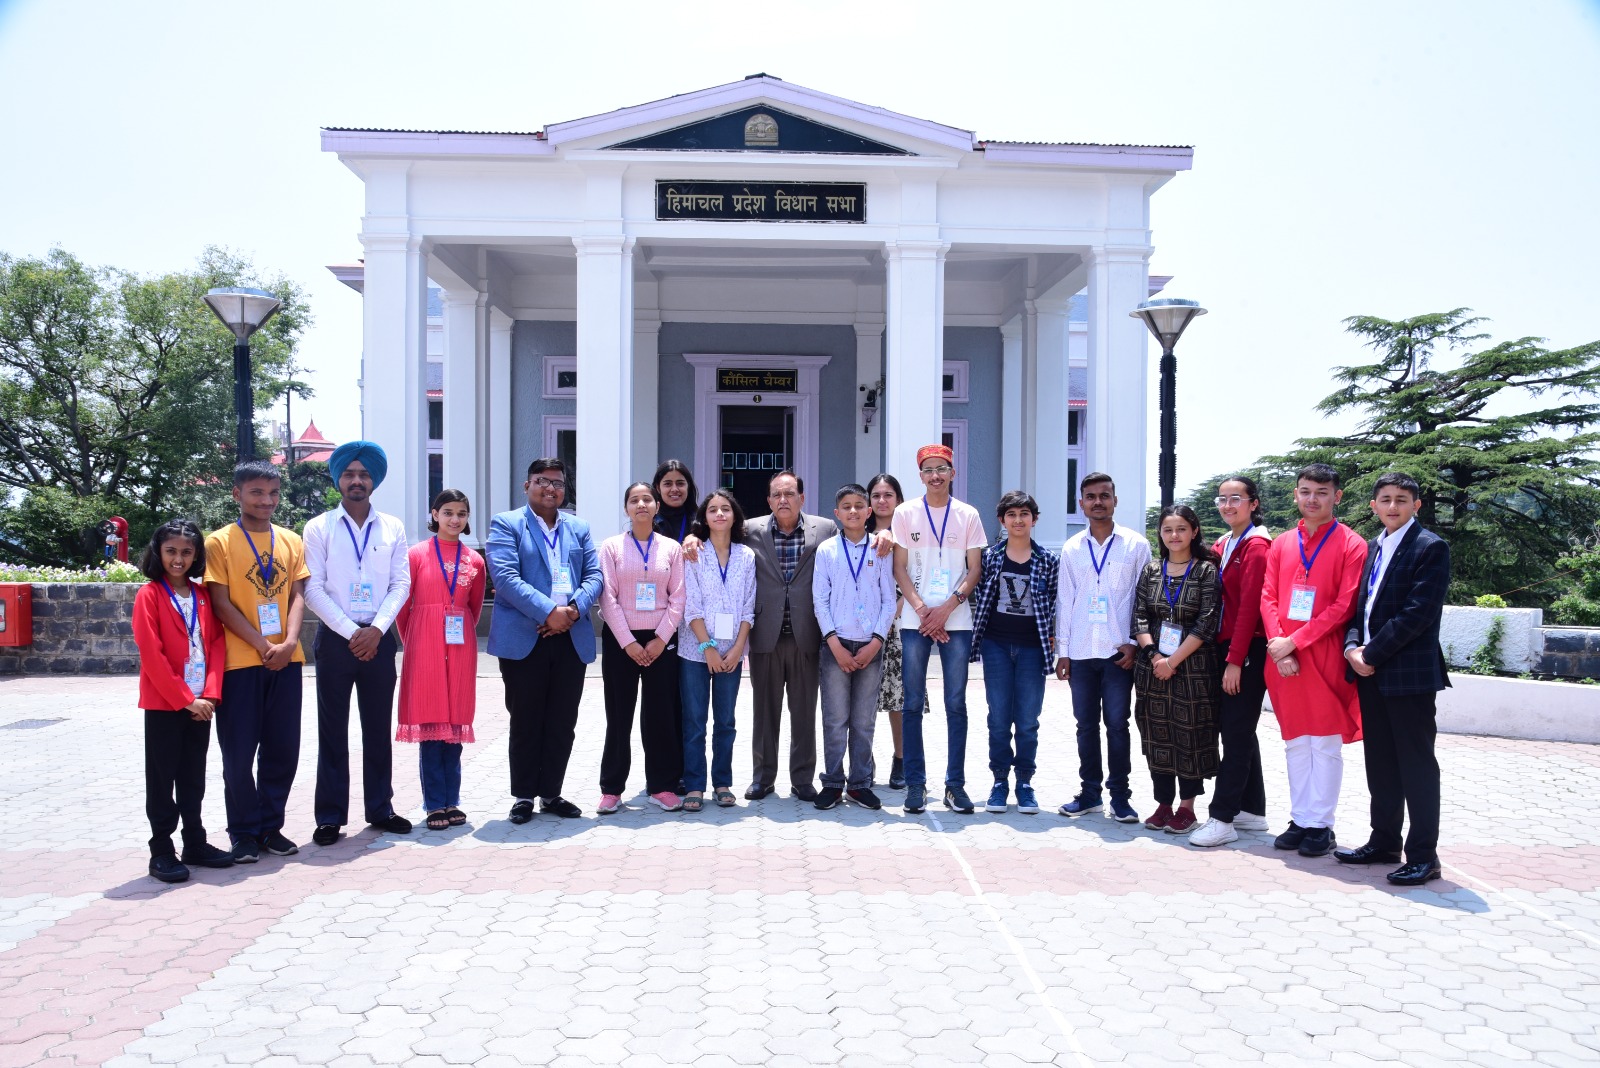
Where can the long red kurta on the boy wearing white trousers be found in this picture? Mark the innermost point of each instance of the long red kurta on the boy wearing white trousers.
(1318, 701)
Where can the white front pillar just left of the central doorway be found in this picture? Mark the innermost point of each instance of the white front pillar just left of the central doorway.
(606, 362)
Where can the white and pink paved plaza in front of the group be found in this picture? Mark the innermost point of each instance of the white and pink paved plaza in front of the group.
(775, 934)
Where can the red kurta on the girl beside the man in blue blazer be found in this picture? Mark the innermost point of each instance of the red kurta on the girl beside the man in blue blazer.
(439, 682)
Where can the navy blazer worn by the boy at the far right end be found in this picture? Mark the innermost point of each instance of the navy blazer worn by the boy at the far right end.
(1406, 616)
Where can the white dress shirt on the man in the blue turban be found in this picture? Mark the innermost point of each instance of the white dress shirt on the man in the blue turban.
(332, 541)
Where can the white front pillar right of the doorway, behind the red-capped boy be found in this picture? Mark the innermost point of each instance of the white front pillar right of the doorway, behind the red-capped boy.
(914, 357)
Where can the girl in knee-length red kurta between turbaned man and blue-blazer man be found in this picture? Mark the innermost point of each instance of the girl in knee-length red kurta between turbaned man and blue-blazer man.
(439, 628)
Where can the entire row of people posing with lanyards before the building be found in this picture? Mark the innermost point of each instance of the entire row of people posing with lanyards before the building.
(849, 610)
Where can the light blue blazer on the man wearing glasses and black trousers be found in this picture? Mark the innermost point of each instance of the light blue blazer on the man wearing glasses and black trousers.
(521, 565)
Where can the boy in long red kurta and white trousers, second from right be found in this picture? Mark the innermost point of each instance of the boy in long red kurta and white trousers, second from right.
(1308, 599)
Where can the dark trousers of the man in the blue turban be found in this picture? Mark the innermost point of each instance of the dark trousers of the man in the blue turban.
(338, 672)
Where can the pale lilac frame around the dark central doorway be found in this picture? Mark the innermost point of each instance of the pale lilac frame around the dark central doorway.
(710, 404)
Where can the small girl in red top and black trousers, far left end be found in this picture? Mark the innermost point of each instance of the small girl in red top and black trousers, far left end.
(183, 653)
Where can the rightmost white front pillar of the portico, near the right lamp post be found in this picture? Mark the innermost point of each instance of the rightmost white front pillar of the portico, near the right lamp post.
(1119, 388)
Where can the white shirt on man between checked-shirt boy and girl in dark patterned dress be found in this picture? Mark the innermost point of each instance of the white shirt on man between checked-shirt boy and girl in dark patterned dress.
(1124, 557)
